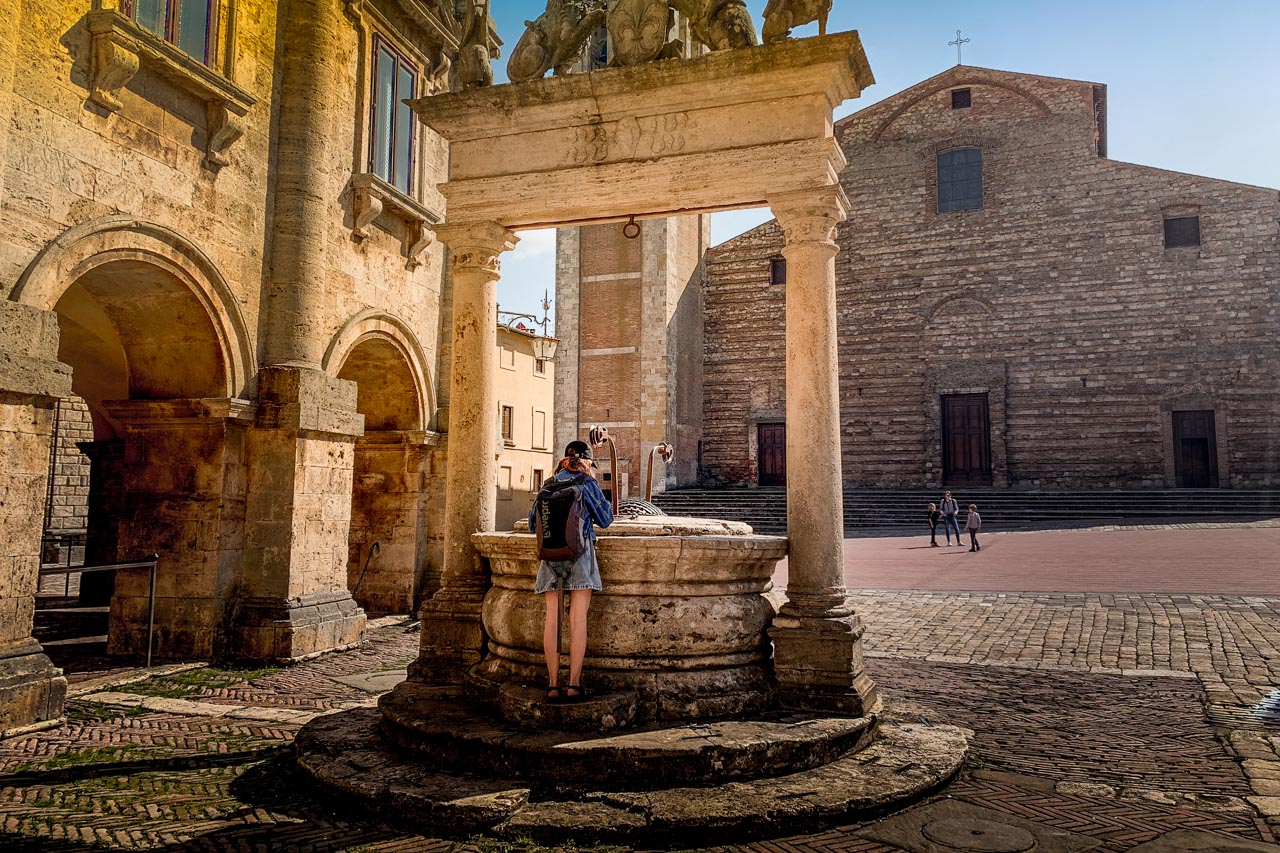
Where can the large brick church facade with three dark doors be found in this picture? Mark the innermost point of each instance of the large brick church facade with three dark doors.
(1016, 309)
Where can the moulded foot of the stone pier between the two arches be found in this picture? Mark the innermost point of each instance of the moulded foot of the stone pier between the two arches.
(292, 630)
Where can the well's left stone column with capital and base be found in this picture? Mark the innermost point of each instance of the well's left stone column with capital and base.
(452, 633)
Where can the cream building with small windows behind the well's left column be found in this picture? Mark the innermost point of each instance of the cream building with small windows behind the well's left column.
(525, 412)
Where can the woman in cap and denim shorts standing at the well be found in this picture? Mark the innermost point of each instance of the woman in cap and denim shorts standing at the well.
(582, 577)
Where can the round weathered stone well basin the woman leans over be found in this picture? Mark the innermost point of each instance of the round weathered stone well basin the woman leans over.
(683, 618)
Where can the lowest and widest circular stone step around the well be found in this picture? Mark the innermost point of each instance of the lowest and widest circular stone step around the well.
(904, 763)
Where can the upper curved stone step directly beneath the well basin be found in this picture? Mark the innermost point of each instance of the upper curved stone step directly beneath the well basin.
(441, 726)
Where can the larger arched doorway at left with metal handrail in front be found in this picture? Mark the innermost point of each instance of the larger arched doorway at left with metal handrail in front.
(157, 357)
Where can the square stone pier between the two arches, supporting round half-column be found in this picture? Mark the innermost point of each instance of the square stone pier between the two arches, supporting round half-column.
(292, 600)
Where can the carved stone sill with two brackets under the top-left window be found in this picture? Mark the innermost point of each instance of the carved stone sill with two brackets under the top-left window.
(121, 47)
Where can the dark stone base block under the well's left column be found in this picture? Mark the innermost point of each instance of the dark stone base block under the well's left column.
(454, 640)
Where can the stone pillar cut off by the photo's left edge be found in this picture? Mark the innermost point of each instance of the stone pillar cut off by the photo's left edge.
(31, 382)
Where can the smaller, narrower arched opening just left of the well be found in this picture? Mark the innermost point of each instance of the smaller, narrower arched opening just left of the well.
(387, 483)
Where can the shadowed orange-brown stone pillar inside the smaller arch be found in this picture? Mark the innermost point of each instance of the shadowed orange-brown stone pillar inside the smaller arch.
(387, 508)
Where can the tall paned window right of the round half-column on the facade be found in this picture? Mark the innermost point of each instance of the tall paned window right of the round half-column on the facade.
(391, 149)
